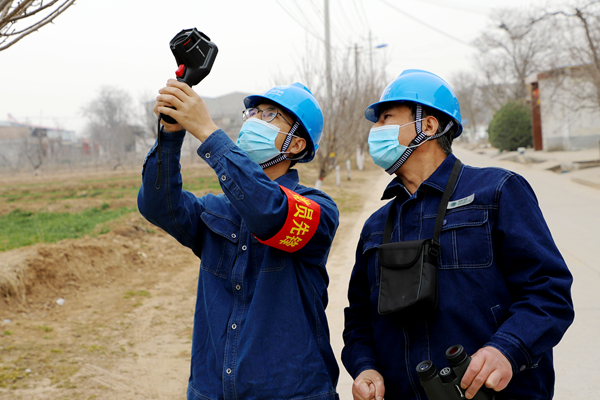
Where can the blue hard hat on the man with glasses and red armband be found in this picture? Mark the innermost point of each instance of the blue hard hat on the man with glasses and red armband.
(300, 102)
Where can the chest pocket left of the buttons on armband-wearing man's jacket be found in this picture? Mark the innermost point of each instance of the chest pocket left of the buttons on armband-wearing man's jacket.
(220, 244)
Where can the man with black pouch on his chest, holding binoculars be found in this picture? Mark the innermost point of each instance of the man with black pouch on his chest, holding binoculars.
(459, 255)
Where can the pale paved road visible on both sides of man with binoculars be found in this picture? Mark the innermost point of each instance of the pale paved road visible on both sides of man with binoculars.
(572, 212)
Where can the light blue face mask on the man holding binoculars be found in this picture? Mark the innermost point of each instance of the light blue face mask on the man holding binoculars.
(384, 147)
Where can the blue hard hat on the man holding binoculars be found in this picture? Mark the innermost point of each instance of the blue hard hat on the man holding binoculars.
(419, 87)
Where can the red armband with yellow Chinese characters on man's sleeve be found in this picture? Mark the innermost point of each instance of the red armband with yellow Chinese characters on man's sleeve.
(300, 226)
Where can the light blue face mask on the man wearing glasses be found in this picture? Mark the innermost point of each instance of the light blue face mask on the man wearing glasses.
(257, 139)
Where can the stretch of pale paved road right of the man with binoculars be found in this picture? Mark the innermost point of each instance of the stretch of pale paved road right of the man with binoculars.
(572, 212)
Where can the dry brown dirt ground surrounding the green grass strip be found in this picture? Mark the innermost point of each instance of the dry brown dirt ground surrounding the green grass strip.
(124, 329)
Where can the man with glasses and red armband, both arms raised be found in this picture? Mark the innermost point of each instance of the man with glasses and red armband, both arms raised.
(260, 329)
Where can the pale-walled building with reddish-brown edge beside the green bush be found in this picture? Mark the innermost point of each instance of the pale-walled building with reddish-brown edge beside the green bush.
(565, 114)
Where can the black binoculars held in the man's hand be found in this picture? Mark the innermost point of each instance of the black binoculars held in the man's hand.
(445, 384)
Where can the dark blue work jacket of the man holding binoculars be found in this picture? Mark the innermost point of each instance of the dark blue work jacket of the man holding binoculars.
(502, 283)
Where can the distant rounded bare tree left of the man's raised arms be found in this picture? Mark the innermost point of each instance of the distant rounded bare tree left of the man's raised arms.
(111, 125)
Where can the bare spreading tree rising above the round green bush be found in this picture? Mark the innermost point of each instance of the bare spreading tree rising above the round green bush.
(511, 51)
